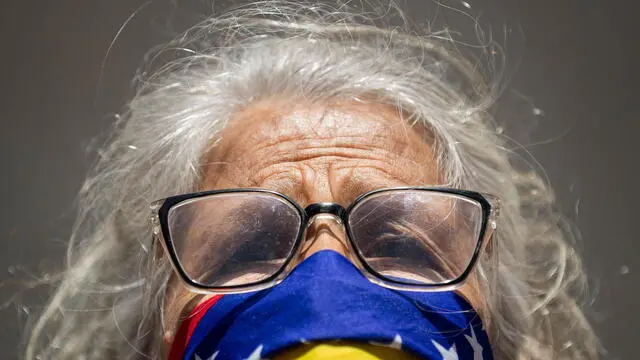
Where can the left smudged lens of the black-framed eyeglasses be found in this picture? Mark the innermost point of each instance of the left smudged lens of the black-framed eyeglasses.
(234, 238)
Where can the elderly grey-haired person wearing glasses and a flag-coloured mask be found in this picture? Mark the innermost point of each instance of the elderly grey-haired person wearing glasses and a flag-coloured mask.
(328, 189)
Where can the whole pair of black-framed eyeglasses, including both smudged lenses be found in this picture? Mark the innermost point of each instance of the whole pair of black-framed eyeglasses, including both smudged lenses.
(404, 238)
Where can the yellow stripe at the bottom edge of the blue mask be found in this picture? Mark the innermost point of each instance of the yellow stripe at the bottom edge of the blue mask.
(344, 351)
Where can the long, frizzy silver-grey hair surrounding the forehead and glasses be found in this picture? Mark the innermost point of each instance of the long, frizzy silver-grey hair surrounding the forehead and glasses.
(108, 304)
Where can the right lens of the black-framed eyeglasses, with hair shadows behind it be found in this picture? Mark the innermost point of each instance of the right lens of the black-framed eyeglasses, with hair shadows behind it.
(418, 237)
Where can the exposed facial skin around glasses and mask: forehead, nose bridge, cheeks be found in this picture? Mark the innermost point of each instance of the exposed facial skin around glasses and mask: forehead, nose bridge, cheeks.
(316, 153)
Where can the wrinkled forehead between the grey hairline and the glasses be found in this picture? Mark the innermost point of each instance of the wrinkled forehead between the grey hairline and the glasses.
(280, 139)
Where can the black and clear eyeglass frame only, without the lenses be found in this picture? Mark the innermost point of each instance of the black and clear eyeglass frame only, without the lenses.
(160, 213)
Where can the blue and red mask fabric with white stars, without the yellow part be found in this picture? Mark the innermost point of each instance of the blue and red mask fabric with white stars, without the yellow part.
(326, 298)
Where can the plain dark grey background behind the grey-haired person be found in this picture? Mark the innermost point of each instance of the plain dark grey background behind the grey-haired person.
(578, 63)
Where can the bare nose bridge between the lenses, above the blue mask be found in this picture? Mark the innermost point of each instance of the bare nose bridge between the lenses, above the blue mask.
(325, 232)
